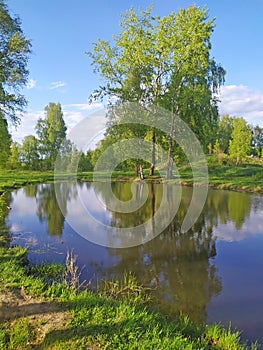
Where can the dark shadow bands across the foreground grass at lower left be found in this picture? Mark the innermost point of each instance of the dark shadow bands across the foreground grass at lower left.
(11, 310)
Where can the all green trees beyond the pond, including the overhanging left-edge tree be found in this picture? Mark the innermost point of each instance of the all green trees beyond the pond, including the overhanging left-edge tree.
(162, 62)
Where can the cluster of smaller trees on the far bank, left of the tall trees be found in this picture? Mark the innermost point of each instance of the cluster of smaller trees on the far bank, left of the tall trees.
(50, 145)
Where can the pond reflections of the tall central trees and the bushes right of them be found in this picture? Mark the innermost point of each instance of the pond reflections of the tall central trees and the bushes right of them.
(180, 264)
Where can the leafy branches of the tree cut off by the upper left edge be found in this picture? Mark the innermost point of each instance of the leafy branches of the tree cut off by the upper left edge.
(14, 54)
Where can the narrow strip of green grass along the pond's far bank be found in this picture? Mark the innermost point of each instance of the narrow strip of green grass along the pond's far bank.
(246, 178)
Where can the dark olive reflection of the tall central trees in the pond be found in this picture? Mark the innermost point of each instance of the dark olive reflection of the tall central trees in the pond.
(178, 263)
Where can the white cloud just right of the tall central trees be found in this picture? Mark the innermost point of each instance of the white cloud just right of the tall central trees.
(241, 101)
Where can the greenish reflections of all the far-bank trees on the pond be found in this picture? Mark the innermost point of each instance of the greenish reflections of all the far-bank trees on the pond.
(179, 264)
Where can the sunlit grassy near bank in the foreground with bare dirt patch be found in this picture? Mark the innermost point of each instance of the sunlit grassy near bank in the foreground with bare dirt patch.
(41, 307)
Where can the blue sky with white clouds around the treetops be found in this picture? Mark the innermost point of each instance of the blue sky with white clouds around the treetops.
(63, 30)
